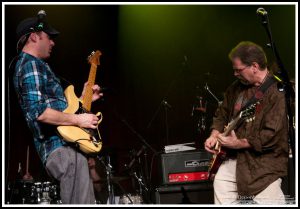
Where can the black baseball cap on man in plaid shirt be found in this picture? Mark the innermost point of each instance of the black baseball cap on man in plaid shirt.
(32, 24)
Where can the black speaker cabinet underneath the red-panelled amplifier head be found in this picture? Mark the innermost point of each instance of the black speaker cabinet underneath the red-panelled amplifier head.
(197, 193)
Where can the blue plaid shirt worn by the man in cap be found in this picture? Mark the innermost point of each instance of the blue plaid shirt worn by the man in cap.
(37, 89)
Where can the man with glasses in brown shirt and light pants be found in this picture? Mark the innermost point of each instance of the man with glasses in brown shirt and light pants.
(258, 149)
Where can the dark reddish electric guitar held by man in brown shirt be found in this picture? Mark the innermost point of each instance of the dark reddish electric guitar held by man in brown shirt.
(219, 157)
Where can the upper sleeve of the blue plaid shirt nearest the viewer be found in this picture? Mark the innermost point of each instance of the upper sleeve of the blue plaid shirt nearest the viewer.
(40, 89)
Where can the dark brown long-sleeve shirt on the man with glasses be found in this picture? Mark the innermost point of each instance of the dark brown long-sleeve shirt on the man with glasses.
(263, 163)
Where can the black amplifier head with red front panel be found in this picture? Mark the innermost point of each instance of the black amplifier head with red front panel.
(185, 167)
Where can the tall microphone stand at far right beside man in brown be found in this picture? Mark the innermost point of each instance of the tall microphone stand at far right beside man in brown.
(286, 86)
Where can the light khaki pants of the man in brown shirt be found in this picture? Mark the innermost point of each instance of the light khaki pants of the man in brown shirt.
(225, 189)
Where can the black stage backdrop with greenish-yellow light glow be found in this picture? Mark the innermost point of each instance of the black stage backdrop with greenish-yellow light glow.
(150, 53)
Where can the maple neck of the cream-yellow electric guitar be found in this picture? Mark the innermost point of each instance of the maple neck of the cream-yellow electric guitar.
(88, 94)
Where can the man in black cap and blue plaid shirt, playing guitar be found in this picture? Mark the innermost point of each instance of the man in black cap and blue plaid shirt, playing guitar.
(42, 101)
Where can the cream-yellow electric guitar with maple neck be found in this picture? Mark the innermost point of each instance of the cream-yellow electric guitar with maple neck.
(89, 140)
